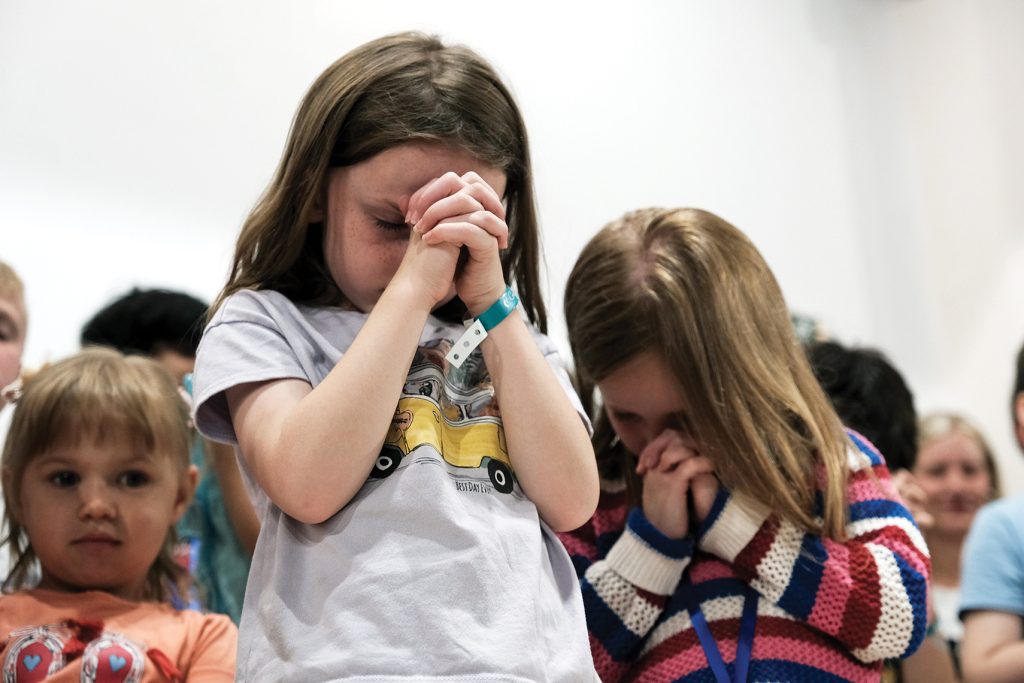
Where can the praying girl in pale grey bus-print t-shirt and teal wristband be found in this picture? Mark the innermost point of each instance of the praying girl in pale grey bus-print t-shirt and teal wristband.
(410, 471)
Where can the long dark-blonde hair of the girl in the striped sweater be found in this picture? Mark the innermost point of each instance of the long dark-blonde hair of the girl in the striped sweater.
(688, 285)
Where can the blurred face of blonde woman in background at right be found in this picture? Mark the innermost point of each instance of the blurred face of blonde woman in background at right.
(953, 473)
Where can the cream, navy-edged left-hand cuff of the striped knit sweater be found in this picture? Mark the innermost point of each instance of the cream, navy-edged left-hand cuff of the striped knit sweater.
(648, 559)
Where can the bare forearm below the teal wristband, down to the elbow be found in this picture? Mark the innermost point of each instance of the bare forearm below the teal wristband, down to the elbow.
(547, 441)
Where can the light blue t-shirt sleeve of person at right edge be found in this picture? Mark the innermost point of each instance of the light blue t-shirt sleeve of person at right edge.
(994, 563)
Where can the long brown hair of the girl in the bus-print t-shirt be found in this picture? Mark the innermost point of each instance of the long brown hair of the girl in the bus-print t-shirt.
(407, 88)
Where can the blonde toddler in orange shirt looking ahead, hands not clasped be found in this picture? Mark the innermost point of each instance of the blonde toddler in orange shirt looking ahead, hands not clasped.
(96, 476)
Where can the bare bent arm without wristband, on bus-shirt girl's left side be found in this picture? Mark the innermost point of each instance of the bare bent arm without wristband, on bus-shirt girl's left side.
(312, 453)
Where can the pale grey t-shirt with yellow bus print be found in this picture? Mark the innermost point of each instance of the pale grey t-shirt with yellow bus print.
(441, 568)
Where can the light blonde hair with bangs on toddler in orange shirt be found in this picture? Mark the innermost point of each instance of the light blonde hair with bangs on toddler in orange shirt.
(96, 395)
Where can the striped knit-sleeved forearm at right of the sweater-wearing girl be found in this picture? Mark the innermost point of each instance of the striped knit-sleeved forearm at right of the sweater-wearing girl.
(869, 592)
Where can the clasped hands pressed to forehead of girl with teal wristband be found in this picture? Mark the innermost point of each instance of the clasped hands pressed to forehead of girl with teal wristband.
(452, 216)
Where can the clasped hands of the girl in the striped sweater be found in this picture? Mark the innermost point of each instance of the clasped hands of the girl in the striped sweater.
(674, 471)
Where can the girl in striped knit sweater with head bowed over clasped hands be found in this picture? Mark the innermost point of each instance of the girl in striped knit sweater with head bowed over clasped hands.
(742, 534)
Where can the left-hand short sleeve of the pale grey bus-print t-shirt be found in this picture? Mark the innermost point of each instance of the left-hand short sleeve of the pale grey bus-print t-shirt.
(243, 344)
